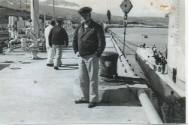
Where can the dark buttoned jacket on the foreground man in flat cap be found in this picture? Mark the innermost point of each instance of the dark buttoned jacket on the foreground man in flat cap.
(90, 41)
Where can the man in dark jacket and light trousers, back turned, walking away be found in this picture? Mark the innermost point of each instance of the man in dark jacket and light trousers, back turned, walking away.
(57, 39)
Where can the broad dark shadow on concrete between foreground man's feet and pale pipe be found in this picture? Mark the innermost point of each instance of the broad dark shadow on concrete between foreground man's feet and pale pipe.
(119, 97)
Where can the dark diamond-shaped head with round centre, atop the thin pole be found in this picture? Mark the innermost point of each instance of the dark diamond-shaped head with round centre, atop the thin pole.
(126, 6)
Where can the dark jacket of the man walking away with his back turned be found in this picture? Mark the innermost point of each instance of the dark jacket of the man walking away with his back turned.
(58, 36)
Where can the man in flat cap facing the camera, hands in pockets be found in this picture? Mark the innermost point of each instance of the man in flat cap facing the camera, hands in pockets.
(88, 44)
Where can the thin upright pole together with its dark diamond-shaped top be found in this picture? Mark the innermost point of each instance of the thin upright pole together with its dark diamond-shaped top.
(126, 6)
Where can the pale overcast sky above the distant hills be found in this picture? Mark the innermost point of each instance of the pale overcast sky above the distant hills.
(140, 7)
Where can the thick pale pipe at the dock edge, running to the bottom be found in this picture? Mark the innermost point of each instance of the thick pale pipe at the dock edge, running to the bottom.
(150, 111)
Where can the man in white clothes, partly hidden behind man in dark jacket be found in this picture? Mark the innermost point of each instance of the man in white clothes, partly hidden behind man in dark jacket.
(50, 50)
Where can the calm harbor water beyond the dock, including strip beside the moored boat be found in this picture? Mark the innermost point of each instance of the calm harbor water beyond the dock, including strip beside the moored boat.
(136, 36)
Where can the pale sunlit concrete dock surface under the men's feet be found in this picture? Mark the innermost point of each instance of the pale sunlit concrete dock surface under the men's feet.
(32, 93)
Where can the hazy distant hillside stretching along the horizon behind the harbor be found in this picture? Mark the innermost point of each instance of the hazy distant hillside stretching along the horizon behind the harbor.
(7, 10)
